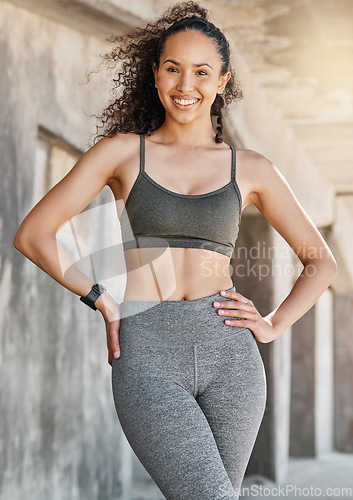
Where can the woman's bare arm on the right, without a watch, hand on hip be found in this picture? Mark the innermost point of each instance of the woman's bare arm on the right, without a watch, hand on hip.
(275, 200)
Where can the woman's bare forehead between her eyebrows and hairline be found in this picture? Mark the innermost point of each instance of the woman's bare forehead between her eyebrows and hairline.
(191, 43)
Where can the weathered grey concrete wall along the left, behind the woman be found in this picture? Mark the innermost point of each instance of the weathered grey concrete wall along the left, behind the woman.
(59, 433)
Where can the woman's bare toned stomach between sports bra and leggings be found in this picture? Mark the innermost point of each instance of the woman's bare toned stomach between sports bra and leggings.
(175, 273)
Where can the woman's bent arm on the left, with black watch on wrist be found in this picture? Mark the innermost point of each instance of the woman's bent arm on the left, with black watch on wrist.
(36, 236)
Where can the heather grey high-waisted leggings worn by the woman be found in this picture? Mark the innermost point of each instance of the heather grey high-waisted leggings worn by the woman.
(190, 394)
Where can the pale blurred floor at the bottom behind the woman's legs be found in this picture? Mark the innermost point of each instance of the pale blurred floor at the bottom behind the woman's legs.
(307, 478)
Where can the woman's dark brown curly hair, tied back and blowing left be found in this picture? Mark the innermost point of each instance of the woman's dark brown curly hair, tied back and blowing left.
(137, 107)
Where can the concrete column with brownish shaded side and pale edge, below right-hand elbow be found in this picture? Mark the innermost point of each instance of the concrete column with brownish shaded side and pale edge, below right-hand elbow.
(312, 381)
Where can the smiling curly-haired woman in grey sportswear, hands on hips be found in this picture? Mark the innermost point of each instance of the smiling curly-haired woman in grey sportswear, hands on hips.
(189, 385)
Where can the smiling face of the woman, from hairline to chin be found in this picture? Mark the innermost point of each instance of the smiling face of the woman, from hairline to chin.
(188, 78)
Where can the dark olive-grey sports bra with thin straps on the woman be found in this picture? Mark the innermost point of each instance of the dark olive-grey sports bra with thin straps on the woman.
(154, 216)
